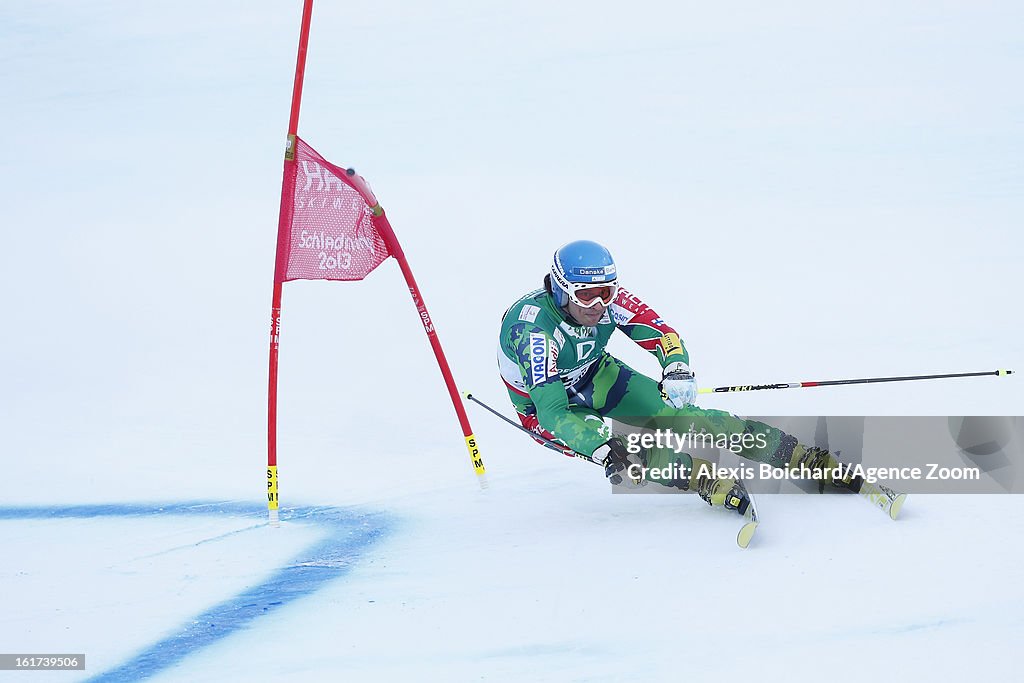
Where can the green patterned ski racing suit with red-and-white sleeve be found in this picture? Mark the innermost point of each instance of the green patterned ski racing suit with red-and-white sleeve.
(564, 383)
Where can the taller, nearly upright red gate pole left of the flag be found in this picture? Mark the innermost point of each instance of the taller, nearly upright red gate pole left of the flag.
(293, 126)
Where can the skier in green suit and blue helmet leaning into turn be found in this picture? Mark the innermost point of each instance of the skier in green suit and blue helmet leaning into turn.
(564, 385)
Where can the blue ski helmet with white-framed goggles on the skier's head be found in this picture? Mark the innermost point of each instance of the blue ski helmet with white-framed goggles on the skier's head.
(583, 266)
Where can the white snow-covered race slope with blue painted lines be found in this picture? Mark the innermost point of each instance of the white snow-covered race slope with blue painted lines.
(806, 191)
